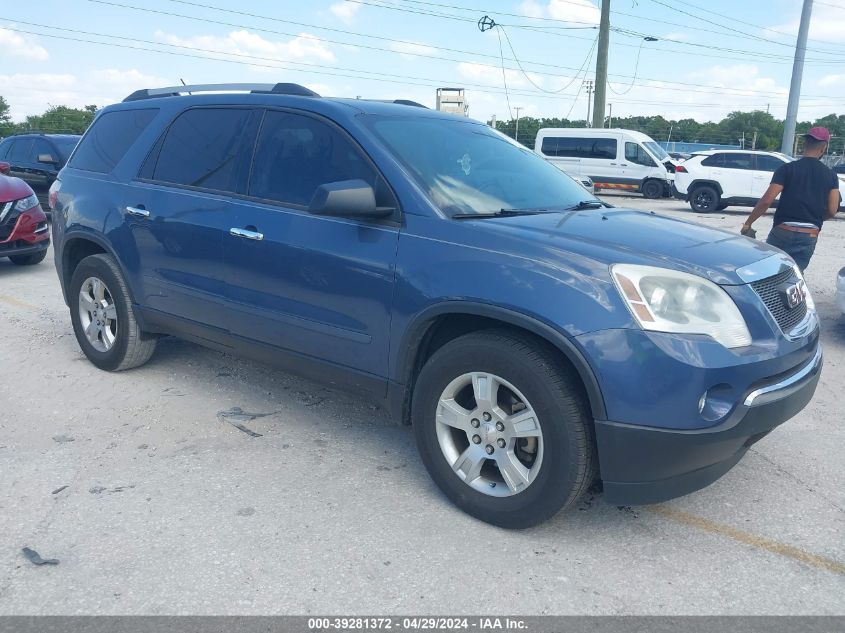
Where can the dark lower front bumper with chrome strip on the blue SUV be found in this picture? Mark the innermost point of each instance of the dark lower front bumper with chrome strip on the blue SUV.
(642, 465)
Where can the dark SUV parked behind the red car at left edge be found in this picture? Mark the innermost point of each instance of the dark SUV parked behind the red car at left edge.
(38, 158)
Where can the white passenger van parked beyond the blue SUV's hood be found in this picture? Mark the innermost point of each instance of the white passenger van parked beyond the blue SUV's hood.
(614, 159)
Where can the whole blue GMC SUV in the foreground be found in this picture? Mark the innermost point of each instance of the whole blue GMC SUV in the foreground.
(536, 338)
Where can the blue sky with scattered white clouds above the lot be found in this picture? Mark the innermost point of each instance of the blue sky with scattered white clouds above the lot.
(711, 57)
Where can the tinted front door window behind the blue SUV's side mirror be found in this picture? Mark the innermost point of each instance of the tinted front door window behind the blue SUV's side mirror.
(296, 154)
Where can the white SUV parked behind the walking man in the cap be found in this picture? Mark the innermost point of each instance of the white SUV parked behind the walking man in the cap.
(716, 179)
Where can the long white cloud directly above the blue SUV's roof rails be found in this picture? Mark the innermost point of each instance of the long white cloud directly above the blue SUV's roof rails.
(304, 47)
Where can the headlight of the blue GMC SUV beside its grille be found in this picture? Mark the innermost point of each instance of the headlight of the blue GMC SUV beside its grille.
(666, 300)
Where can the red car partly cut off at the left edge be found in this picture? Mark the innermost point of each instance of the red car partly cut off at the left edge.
(24, 234)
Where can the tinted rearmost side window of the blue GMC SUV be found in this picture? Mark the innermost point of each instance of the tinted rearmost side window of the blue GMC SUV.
(109, 138)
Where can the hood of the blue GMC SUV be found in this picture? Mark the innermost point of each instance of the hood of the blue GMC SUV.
(613, 236)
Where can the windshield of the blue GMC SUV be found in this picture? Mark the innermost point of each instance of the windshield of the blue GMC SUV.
(468, 168)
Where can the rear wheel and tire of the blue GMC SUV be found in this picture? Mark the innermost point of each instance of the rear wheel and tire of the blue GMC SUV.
(116, 342)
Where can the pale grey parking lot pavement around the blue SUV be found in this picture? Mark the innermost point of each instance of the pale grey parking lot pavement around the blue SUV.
(155, 503)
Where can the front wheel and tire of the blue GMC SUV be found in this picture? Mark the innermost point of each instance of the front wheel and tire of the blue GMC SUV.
(562, 464)
